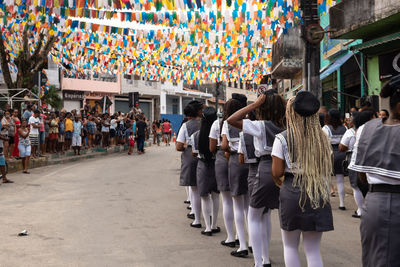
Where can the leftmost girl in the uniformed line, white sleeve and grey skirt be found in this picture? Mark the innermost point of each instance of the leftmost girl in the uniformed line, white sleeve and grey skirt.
(188, 162)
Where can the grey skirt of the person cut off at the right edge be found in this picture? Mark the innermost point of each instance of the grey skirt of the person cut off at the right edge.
(380, 230)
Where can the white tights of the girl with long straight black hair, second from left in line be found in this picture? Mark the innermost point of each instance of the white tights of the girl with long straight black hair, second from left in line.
(210, 207)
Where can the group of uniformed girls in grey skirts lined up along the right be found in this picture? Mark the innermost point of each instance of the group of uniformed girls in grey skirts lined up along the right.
(277, 154)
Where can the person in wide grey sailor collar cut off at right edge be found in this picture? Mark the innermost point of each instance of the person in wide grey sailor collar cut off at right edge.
(376, 157)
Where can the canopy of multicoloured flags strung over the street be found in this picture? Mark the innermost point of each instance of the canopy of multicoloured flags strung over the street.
(202, 41)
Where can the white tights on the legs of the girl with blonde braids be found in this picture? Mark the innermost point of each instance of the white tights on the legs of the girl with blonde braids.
(311, 244)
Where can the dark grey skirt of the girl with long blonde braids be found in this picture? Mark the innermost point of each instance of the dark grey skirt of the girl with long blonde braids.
(293, 218)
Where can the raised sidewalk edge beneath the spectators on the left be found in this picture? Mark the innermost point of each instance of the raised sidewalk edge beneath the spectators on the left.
(53, 159)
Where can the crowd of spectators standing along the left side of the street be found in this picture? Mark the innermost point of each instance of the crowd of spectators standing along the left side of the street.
(37, 131)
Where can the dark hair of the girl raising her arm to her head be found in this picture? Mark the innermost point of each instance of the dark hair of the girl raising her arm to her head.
(273, 109)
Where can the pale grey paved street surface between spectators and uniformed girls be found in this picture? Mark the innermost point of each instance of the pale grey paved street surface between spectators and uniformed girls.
(125, 210)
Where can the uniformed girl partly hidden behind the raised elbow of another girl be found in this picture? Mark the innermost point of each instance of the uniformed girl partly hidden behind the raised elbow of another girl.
(237, 173)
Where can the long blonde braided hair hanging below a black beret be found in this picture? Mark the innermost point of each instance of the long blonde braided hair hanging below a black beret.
(310, 150)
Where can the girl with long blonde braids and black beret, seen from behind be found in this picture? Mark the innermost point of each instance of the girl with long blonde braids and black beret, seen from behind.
(302, 154)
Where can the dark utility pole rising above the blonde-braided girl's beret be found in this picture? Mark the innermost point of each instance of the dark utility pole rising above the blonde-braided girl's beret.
(311, 62)
